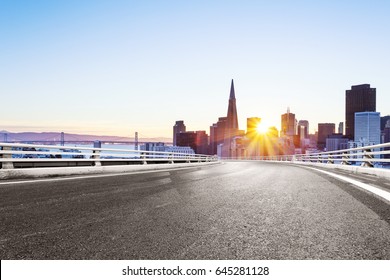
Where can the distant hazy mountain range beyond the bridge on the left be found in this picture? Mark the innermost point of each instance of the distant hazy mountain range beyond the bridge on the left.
(56, 137)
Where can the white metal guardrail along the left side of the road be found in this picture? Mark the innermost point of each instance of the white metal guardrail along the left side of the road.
(30, 155)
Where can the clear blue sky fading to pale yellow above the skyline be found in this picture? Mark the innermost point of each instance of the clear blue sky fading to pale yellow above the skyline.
(116, 67)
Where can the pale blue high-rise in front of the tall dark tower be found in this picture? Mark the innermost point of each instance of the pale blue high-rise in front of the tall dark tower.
(367, 128)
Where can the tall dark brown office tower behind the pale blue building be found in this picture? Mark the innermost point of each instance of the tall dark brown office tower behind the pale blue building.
(360, 98)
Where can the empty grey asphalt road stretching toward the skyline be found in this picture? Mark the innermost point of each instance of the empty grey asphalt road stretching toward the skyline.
(234, 210)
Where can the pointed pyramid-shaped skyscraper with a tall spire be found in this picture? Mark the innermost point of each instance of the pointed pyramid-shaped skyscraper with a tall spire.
(231, 129)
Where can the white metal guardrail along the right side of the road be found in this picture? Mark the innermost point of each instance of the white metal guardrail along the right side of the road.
(367, 156)
